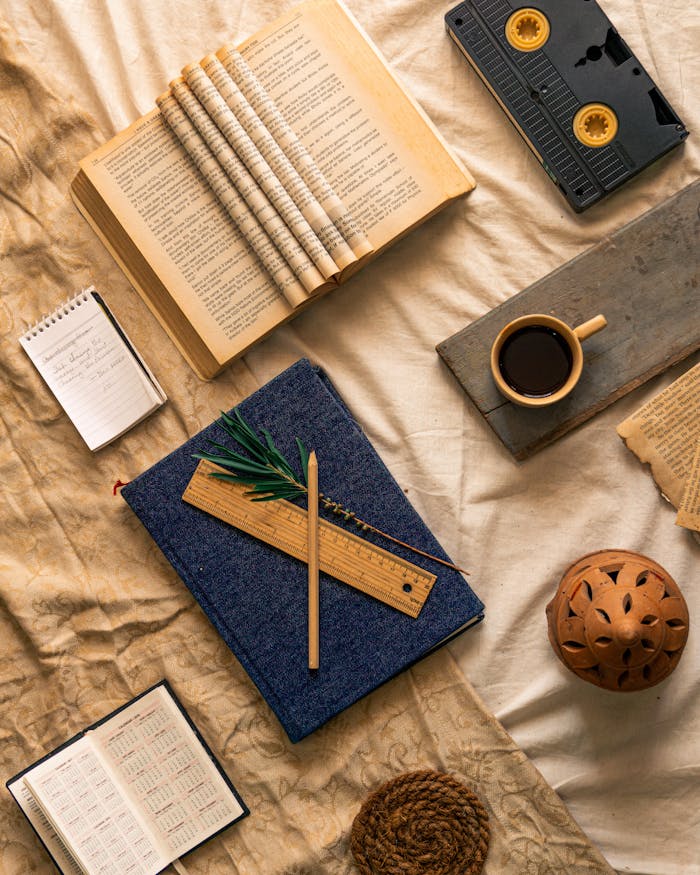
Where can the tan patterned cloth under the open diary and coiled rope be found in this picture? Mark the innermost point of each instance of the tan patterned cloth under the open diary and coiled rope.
(90, 616)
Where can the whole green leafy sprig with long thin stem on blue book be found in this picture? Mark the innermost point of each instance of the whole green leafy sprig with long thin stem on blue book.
(271, 477)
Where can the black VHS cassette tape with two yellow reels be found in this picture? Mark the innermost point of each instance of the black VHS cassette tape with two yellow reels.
(572, 87)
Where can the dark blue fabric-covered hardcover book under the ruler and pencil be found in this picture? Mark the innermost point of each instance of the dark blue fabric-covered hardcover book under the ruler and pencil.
(256, 596)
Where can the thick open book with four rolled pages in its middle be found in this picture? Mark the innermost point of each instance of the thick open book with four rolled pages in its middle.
(266, 175)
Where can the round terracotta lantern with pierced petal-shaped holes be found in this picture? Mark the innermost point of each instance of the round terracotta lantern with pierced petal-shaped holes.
(618, 620)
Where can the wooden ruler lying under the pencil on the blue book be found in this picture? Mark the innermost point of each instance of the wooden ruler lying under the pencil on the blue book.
(342, 554)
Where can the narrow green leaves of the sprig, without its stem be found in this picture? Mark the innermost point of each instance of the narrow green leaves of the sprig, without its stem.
(264, 469)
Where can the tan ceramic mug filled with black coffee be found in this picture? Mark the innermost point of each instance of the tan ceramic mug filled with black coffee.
(537, 360)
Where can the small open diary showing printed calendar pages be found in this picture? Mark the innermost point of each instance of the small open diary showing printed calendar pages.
(129, 795)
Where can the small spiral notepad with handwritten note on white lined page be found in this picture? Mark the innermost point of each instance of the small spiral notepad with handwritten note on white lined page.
(92, 368)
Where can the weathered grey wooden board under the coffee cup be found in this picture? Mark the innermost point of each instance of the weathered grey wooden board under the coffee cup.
(643, 278)
